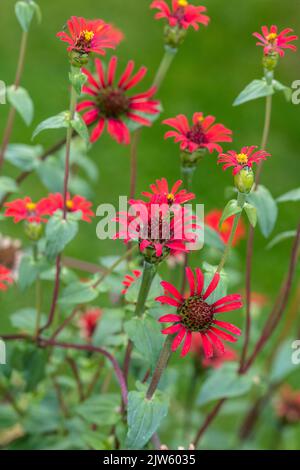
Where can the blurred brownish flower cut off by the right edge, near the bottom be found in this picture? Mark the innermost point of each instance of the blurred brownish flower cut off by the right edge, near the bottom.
(288, 404)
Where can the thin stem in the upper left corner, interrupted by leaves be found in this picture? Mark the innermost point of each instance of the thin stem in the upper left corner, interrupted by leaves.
(12, 111)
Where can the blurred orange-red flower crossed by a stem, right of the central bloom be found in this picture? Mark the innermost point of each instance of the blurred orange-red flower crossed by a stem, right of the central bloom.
(212, 219)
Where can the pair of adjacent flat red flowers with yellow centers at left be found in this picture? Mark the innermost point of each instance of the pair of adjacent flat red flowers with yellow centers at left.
(35, 212)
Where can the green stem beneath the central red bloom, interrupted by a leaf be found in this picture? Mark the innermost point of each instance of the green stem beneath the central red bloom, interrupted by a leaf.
(149, 271)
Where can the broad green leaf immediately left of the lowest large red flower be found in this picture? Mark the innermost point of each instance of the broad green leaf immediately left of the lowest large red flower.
(145, 333)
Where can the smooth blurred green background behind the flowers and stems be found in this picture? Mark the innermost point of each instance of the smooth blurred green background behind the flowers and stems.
(210, 69)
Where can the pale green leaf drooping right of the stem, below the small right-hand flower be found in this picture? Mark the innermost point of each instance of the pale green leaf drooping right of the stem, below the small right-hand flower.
(267, 210)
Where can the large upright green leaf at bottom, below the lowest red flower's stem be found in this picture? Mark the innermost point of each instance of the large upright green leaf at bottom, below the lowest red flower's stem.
(144, 417)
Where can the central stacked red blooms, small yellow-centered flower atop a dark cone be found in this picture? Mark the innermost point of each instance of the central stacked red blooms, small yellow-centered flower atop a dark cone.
(159, 225)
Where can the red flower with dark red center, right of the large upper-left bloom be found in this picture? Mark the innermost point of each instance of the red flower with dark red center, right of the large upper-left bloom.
(203, 134)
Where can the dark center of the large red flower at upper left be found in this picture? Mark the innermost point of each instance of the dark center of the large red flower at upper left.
(112, 103)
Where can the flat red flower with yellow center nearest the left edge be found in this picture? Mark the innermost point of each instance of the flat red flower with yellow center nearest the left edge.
(25, 209)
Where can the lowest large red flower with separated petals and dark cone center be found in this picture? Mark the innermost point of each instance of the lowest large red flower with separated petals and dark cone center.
(196, 315)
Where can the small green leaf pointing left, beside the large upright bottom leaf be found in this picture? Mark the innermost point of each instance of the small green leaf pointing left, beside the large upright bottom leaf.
(102, 410)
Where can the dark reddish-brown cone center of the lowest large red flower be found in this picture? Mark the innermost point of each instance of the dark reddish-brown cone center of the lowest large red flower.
(196, 314)
